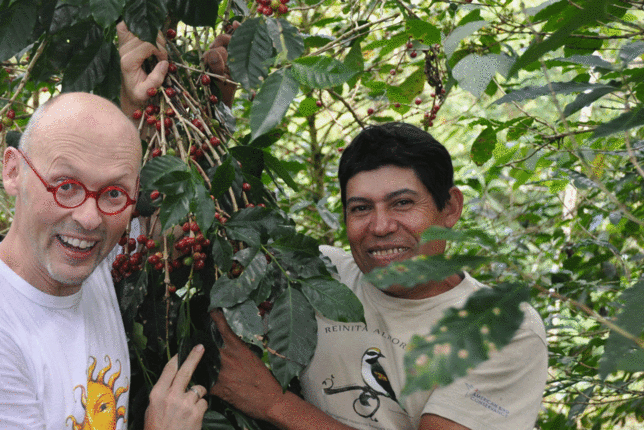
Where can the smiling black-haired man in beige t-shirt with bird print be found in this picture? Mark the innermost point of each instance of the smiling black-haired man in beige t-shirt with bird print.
(396, 181)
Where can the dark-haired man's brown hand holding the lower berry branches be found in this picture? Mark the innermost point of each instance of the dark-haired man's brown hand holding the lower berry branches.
(244, 381)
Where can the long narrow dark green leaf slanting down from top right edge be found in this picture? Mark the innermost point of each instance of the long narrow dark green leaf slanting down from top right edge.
(593, 12)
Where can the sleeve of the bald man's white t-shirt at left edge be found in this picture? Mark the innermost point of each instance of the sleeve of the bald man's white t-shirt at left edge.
(19, 406)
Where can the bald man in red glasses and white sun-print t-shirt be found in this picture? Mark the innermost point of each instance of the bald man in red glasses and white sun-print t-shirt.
(64, 360)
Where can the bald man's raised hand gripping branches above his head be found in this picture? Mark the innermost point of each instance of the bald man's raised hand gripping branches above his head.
(135, 81)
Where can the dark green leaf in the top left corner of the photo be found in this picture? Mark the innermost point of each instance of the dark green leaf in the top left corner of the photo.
(17, 24)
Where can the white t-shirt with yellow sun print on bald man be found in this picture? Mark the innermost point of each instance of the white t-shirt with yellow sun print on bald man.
(63, 360)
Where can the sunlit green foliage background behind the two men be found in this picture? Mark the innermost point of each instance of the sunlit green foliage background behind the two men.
(542, 112)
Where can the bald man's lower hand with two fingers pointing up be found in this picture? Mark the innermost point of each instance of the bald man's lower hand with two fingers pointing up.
(172, 405)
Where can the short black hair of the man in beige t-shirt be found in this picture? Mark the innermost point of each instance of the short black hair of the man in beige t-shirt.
(403, 145)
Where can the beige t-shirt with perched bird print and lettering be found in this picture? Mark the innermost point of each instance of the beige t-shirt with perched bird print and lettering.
(503, 393)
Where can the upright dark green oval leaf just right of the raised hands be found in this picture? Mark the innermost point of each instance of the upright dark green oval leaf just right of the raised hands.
(249, 49)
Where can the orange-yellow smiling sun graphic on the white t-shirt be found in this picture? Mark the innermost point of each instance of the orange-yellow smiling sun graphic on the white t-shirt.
(100, 400)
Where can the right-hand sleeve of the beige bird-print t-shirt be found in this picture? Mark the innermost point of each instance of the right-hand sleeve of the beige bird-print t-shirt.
(502, 393)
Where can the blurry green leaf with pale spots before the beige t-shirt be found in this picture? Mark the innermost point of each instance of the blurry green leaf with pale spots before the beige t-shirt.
(463, 338)
